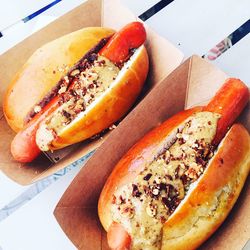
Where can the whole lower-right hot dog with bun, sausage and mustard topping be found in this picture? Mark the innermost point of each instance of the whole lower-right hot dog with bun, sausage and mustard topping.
(175, 187)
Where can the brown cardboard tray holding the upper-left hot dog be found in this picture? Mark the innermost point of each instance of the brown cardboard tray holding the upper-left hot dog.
(108, 13)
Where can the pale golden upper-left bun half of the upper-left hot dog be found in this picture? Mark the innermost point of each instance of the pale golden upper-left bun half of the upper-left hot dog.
(43, 70)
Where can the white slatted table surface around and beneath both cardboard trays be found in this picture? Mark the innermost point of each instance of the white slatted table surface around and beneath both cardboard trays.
(194, 26)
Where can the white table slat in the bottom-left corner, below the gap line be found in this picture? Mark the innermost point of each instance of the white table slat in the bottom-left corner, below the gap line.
(33, 226)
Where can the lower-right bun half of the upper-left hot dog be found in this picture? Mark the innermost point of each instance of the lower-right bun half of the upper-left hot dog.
(111, 107)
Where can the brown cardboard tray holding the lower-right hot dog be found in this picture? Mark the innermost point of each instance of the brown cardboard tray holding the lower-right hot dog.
(194, 82)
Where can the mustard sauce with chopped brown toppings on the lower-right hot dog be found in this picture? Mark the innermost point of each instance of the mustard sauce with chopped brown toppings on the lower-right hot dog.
(144, 205)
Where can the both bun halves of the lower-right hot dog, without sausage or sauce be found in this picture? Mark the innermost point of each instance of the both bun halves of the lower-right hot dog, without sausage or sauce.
(212, 197)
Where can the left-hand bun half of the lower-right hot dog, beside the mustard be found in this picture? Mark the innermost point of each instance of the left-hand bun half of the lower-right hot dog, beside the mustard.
(135, 160)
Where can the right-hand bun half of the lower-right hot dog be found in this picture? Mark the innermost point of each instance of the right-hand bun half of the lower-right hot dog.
(208, 204)
